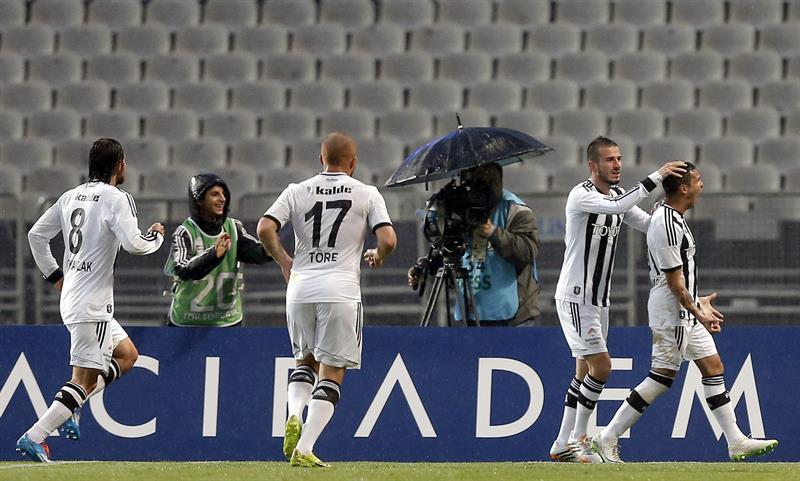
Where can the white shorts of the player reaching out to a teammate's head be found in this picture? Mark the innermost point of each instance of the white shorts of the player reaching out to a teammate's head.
(585, 327)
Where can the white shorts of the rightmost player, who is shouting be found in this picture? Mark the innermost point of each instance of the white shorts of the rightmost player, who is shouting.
(674, 344)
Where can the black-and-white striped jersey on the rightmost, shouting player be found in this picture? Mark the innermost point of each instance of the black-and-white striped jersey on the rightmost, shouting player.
(670, 246)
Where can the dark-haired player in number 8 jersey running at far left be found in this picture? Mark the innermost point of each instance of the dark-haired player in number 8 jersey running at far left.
(96, 218)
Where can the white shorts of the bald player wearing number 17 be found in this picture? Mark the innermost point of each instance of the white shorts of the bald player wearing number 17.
(331, 331)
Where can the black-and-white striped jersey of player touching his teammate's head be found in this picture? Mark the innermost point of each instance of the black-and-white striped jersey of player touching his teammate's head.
(594, 220)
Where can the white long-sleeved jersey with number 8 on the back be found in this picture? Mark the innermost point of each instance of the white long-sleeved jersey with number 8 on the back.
(96, 219)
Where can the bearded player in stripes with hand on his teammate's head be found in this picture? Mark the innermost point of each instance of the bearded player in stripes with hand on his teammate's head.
(595, 211)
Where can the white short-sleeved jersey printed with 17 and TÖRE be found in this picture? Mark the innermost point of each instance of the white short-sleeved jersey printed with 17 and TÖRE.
(330, 214)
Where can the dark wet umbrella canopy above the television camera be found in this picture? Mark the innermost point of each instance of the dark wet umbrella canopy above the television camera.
(465, 148)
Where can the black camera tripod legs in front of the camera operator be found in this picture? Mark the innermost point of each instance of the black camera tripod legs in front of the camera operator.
(447, 276)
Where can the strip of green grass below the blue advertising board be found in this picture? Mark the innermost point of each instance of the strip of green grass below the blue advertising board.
(214, 471)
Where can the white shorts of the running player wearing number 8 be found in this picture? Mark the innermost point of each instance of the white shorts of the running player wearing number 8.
(92, 343)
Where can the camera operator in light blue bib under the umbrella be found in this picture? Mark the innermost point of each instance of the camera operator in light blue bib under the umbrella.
(505, 285)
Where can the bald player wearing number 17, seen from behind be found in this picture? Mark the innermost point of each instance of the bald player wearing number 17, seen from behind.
(329, 213)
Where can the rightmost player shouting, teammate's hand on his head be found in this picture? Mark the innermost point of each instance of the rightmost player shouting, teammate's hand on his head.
(682, 323)
